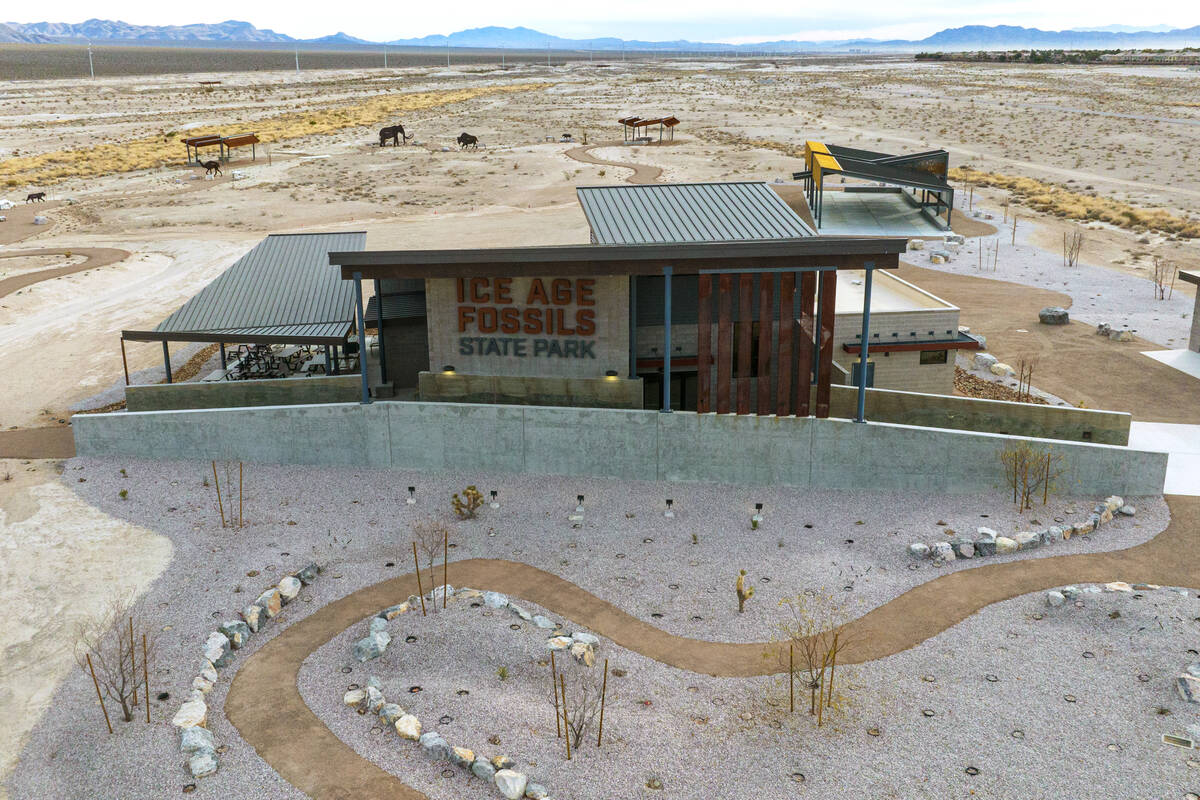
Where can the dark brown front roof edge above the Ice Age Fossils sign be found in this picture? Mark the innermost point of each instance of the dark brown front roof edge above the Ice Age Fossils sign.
(807, 254)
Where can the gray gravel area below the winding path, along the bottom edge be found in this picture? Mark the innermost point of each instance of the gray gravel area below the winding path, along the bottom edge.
(1043, 702)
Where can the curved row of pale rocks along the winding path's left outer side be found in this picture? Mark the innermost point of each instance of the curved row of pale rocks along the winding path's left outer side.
(195, 739)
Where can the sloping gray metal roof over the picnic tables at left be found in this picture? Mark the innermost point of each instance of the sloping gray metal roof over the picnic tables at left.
(284, 290)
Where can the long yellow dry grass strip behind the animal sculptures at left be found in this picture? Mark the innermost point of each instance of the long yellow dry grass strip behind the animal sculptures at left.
(148, 153)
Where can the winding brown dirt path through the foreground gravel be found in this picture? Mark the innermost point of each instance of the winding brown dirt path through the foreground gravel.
(266, 706)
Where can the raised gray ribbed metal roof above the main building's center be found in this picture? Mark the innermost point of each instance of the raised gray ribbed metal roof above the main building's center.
(689, 213)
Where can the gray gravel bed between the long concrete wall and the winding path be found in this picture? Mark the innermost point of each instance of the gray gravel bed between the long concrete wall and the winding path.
(357, 522)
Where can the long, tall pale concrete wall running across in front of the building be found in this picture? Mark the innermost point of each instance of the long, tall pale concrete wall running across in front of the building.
(629, 444)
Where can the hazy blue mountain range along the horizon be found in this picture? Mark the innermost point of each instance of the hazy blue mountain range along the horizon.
(970, 38)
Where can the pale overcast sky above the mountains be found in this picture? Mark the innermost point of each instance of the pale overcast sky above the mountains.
(711, 21)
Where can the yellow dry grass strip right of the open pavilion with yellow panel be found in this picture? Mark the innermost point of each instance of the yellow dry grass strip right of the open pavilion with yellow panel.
(1073, 206)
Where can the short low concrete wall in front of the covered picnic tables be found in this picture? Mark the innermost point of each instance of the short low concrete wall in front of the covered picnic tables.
(232, 394)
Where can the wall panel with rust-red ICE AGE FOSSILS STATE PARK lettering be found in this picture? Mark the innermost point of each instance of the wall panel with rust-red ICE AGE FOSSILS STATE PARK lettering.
(530, 327)
